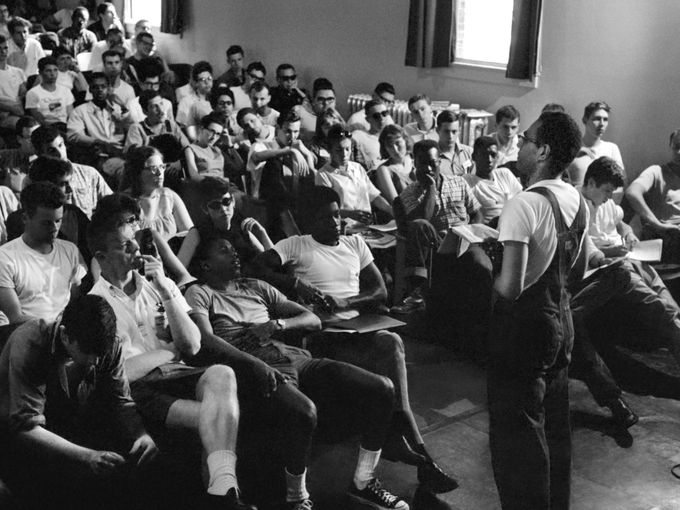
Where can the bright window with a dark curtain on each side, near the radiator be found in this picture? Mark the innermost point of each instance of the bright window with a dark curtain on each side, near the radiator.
(483, 29)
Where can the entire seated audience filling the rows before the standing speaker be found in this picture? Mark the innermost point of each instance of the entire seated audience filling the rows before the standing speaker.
(170, 250)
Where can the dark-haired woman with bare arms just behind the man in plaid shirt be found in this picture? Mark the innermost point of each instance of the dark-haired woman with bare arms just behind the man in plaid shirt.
(398, 171)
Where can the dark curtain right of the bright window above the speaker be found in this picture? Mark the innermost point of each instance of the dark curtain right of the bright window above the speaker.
(523, 59)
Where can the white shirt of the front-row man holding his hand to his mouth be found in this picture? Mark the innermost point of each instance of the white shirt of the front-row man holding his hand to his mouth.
(136, 315)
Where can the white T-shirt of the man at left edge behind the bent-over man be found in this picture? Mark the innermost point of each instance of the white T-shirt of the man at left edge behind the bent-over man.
(42, 282)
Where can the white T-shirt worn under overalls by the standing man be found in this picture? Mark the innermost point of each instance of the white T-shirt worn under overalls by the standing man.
(528, 218)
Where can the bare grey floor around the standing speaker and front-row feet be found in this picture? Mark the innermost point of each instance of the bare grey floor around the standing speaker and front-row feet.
(629, 471)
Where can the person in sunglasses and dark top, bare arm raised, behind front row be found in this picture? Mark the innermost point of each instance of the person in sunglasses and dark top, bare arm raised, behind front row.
(246, 235)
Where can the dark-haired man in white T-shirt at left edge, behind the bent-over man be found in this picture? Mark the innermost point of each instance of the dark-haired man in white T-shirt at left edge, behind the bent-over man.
(38, 272)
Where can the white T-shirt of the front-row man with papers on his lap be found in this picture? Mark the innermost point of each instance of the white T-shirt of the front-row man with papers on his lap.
(334, 270)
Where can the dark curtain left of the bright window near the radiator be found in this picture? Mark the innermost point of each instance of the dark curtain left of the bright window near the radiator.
(431, 33)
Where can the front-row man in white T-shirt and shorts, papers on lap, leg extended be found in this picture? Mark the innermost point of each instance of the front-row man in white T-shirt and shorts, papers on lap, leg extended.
(336, 274)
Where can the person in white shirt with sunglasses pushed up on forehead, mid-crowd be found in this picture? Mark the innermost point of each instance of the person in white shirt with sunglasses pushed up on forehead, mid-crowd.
(349, 180)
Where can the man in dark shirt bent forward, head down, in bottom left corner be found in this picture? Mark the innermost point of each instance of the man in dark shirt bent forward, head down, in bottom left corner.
(70, 429)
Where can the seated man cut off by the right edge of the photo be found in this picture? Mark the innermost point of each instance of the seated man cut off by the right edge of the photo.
(654, 196)
